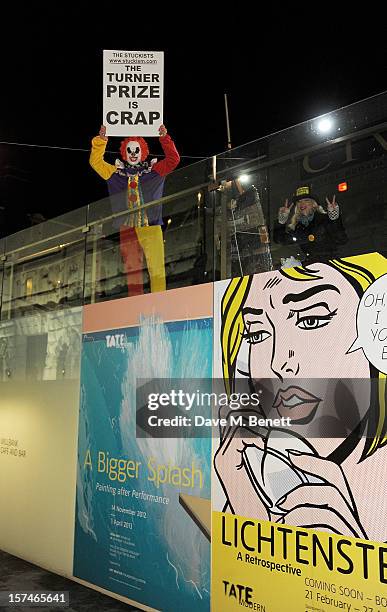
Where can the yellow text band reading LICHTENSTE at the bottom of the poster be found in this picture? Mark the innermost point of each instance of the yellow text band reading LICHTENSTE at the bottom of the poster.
(270, 567)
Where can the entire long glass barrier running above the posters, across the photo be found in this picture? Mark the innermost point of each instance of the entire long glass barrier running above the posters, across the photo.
(266, 204)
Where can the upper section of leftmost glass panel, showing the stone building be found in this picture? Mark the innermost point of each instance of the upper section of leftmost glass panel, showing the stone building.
(44, 266)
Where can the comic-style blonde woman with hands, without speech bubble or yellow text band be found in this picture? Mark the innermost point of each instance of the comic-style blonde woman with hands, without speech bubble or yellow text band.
(297, 328)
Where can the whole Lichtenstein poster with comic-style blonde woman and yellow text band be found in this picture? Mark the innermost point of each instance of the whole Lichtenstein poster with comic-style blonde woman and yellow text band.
(299, 492)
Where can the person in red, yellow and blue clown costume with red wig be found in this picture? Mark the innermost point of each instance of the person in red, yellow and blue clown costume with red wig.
(131, 183)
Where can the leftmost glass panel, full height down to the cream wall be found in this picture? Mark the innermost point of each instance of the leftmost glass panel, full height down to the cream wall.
(42, 294)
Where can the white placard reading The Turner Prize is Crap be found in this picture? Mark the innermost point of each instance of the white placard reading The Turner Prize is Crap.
(133, 92)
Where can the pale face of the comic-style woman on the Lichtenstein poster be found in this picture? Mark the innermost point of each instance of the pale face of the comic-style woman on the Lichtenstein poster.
(297, 336)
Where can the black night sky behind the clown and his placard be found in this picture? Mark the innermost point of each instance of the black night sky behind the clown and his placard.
(278, 69)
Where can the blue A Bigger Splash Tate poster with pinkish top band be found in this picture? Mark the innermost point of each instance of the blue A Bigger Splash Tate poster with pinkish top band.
(134, 532)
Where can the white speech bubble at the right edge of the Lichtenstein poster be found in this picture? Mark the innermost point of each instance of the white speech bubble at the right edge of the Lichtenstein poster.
(371, 324)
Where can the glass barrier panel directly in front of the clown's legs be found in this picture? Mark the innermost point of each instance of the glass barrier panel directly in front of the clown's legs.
(123, 259)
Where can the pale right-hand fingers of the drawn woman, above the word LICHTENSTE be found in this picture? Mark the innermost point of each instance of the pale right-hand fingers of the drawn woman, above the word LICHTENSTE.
(328, 506)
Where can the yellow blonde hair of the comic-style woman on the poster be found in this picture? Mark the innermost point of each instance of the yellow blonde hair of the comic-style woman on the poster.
(360, 271)
